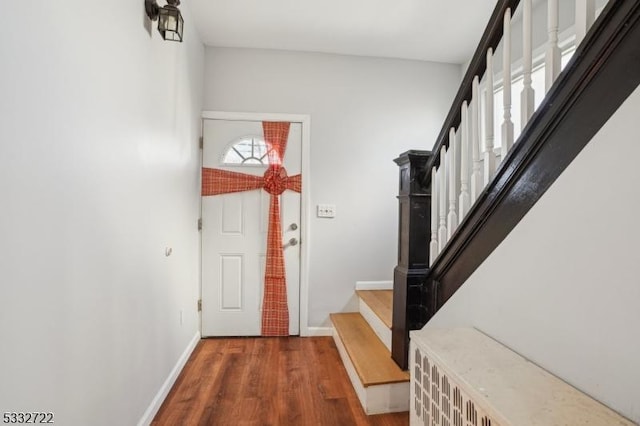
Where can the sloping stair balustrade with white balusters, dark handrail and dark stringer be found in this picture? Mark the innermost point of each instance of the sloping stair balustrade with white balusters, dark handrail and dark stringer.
(478, 193)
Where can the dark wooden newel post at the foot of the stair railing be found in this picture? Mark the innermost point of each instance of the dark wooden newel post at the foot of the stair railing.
(414, 230)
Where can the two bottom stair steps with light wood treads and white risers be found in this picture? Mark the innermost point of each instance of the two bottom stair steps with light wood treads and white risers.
(364, 342)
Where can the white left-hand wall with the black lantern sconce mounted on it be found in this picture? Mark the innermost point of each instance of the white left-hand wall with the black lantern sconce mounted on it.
(98, 174)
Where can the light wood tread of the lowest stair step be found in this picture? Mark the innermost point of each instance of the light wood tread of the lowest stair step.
(369, 356)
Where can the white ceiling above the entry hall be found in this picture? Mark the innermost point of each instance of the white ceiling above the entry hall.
(430, 30)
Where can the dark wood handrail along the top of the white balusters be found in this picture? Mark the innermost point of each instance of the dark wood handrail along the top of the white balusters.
(477, 66)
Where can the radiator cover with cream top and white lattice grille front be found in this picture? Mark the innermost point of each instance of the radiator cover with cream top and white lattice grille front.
(462, 377)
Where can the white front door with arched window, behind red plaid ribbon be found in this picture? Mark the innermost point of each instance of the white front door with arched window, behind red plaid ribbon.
(234, 231)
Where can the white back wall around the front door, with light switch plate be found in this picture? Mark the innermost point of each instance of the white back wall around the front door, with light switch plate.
(364, 112)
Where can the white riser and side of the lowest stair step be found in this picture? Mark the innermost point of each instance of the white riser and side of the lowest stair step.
(375, 399)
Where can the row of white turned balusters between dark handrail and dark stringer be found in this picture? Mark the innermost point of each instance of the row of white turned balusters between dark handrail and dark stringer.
(469, 160)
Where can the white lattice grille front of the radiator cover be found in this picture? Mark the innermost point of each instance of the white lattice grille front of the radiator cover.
(438, 400)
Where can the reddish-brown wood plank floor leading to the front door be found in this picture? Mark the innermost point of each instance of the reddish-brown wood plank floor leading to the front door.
(267, 381)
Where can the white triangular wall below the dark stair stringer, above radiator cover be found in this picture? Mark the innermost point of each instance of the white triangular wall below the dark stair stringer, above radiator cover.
(563, 288)
